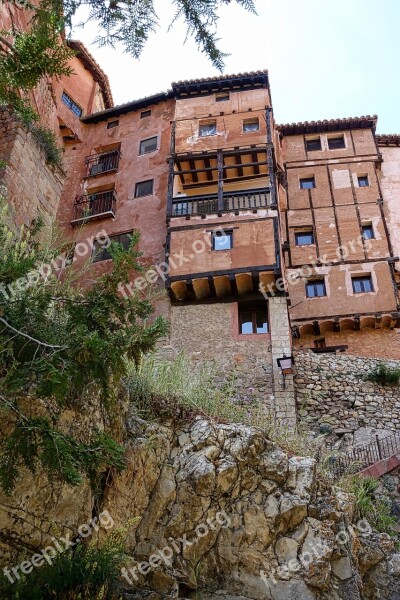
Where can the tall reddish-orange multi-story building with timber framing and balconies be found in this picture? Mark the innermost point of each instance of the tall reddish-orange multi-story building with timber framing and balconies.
(266, 237)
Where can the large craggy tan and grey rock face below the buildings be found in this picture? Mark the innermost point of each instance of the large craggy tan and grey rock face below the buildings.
(222, 514)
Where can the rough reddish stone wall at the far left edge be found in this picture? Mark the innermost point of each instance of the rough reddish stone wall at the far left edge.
(30, 185)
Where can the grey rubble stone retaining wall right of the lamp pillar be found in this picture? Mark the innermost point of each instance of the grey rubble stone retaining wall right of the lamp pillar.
(332, 393)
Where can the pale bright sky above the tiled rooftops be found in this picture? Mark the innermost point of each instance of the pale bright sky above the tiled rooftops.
(325, 59)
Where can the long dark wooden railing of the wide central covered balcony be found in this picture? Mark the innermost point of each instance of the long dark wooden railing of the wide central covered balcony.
(231, 201)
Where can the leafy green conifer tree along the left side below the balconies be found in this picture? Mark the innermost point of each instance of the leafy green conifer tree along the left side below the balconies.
(60, 346)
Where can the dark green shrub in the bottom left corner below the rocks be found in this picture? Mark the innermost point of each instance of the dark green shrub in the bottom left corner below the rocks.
(85, 572)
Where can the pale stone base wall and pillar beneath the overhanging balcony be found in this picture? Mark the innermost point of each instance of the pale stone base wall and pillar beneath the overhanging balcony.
(210, 333)
